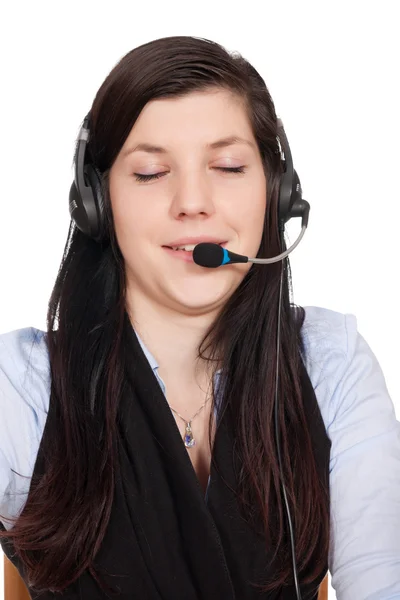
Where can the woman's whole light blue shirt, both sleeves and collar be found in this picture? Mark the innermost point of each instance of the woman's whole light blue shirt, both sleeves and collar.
(360, 420)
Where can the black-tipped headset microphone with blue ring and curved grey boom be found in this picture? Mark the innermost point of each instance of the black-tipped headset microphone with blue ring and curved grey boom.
(212, 255)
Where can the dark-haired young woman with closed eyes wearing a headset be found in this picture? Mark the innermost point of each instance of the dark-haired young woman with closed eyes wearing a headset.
(181, 431)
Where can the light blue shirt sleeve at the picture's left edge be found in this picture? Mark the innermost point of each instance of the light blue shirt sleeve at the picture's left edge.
(24, 397)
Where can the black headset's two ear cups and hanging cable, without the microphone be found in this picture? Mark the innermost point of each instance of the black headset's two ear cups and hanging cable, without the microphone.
(86, 207)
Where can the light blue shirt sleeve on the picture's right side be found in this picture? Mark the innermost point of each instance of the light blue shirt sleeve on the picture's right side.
(364, 557)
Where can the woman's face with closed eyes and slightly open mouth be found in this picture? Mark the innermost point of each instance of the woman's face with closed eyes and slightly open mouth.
(191, 199)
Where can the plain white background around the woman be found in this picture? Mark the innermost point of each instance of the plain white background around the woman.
(333, 71)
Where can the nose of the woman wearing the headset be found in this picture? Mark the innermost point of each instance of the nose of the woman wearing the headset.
(192, 197)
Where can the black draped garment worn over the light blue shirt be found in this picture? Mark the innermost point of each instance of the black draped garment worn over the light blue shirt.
(164, 541)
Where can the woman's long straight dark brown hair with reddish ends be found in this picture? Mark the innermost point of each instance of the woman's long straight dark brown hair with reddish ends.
(67, 511)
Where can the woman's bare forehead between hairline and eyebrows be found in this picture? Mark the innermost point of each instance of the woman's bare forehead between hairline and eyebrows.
(206, 118)
